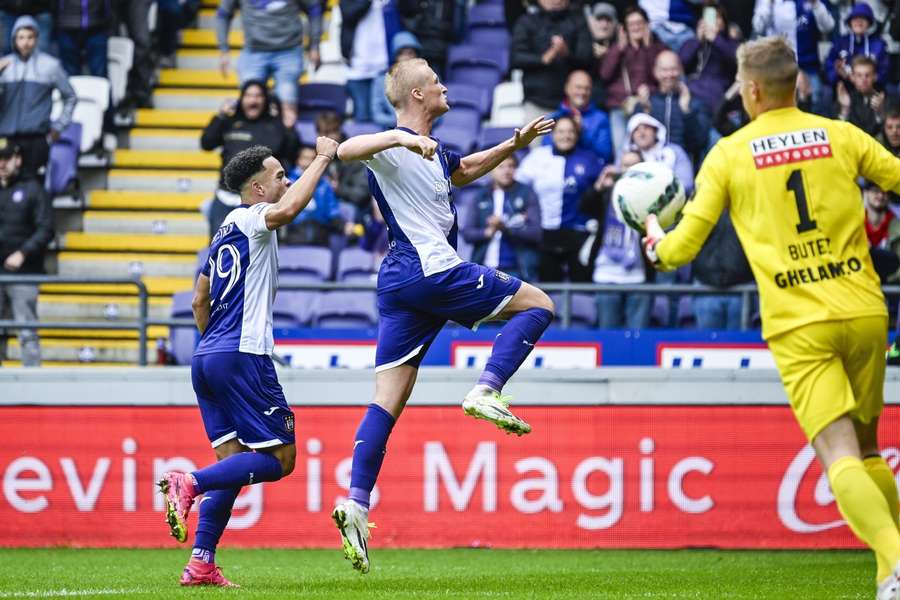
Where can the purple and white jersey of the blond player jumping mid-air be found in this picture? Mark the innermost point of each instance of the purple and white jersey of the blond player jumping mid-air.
(413, 195)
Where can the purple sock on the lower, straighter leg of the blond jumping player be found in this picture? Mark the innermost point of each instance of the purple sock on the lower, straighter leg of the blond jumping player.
(369, 447)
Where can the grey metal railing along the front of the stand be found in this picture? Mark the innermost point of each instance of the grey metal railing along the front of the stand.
(144, 322)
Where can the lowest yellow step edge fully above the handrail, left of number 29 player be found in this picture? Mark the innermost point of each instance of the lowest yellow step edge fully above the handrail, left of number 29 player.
(130, 242)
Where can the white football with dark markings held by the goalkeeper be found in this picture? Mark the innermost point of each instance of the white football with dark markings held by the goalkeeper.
(648, 188)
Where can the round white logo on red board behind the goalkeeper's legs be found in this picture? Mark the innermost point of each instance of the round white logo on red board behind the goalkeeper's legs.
(790, 485)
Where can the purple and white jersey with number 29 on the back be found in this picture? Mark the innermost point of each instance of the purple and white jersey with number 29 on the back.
(243, 276)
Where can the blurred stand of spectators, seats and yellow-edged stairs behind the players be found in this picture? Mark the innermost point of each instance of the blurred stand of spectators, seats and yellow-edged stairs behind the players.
(107, 102)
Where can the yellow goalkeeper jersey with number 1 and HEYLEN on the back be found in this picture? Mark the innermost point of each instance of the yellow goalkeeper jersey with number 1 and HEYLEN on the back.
(789, 181)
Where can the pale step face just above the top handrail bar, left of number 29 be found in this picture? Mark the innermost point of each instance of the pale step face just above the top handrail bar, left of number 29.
(124, 264)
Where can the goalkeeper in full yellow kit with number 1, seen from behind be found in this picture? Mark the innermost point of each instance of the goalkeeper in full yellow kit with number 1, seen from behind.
(789, 181)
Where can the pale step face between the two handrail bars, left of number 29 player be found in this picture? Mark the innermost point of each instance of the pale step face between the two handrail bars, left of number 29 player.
(53, 307)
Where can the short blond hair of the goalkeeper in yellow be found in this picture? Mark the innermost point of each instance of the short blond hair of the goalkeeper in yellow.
(772, 63)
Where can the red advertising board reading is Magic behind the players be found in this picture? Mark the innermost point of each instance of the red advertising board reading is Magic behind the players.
(650, 476)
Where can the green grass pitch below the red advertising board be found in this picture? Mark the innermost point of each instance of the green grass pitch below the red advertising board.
(463, 573)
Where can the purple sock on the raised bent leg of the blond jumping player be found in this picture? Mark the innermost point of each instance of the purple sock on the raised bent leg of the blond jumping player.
(513, 344)
